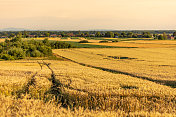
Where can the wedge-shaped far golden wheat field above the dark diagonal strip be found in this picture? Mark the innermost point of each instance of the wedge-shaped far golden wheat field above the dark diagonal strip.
(156, 64)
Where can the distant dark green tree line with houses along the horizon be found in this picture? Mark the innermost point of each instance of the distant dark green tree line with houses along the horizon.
(110, 34)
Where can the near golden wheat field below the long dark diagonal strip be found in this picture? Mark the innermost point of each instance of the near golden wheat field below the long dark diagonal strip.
(35, 85)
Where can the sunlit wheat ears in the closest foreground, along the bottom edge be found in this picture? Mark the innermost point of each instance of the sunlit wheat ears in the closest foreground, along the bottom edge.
(30, 108)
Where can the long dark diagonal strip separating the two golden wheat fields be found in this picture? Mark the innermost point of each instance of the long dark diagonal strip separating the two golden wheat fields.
(171, 84)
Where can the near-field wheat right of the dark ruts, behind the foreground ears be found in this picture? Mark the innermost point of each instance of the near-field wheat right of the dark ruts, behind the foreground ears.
(129, 93)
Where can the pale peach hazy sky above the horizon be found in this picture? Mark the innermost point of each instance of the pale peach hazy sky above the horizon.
(88, 14)
